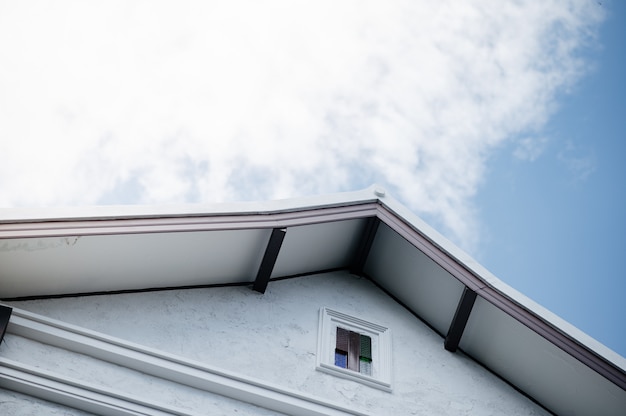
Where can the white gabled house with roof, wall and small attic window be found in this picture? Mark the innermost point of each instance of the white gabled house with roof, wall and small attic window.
(345, 304)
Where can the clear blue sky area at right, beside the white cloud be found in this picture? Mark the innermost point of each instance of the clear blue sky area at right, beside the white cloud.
(557, 225)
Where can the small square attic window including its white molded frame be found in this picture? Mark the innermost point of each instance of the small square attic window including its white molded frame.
(355, 349)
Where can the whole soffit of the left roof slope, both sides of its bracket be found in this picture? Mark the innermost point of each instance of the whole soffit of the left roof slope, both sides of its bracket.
(75, 263)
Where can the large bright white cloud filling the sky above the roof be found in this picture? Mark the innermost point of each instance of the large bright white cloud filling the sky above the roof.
(167, 101)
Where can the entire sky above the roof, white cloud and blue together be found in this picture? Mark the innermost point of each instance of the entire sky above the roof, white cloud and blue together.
(500, 123)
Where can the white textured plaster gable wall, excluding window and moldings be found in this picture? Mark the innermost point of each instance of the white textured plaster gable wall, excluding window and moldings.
(273, 337)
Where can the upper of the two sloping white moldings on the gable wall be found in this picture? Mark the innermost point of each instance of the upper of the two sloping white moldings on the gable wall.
(167, 366)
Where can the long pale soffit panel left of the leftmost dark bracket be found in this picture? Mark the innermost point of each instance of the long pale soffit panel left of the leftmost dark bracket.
(96, 263)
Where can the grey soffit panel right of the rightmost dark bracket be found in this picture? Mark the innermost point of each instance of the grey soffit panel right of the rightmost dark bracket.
(536, 366)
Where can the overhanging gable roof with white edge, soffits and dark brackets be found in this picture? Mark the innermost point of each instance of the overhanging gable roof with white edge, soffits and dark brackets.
(102, 249)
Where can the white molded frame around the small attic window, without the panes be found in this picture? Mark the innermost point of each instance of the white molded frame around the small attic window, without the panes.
(381, 348)
